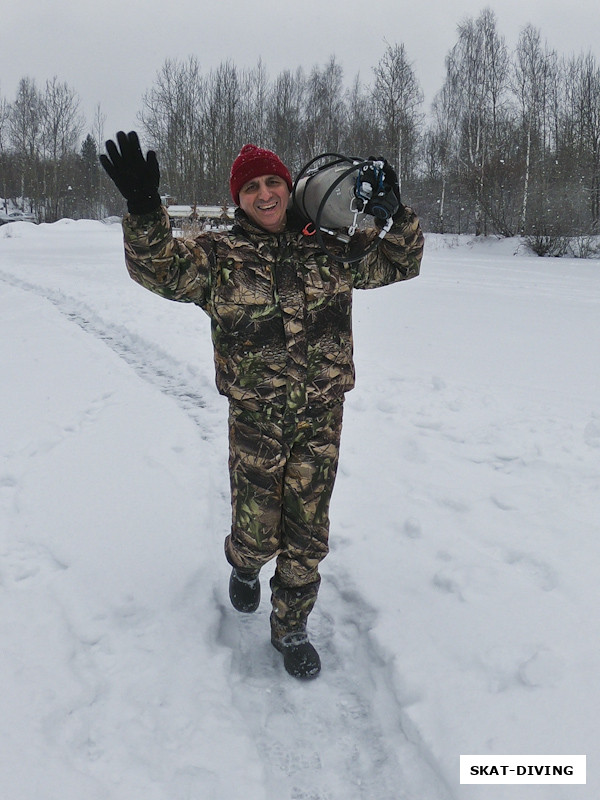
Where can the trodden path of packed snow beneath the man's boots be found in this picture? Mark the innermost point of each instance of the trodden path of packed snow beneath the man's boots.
(340, 735)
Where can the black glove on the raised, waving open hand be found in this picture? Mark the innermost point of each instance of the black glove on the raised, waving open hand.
(136, 177)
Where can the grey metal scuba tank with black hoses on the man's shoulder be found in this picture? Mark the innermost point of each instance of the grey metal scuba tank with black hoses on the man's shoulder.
(344, 193)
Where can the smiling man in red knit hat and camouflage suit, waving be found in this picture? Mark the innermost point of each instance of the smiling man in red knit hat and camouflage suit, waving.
(281, 327)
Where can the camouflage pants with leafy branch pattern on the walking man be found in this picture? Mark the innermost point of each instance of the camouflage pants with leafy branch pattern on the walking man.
(282, 469)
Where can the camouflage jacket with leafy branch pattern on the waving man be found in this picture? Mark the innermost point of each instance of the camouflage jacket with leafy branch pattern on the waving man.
(280, 307)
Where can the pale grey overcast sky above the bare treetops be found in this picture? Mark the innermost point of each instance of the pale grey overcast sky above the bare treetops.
(109, 52)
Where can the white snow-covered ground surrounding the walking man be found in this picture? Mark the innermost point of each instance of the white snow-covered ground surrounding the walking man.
(459, 606)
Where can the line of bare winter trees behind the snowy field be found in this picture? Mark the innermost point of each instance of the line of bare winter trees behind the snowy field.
(511, 145)
